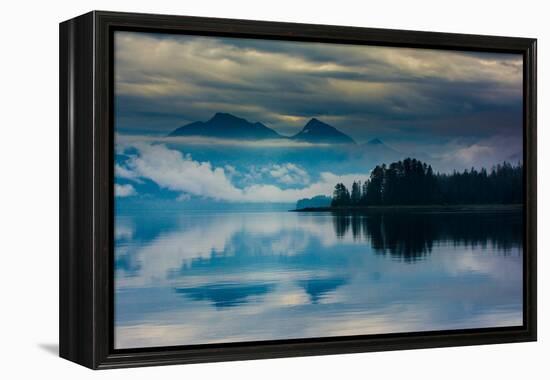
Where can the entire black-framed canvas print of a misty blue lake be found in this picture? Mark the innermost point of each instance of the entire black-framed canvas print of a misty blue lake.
(237, 189)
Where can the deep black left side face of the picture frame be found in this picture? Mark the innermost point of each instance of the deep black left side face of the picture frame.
(76, 329)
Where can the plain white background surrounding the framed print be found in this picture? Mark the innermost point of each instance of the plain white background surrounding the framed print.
(29, 190)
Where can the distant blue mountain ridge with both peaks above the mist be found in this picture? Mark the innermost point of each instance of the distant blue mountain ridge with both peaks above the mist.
(225, 125)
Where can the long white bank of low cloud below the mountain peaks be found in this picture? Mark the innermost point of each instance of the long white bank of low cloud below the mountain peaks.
(172, 170)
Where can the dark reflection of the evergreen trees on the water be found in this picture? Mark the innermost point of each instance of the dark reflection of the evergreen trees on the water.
(410, 236)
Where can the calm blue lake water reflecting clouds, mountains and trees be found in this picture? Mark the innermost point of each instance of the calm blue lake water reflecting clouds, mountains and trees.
(191, 278)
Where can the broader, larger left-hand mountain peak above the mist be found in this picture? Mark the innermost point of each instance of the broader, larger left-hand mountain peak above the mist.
(225, 125)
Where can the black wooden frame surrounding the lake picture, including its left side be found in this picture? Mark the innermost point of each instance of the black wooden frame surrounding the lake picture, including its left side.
(86, 189)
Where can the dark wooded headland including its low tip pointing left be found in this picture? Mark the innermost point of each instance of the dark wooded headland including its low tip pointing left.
(412, 185)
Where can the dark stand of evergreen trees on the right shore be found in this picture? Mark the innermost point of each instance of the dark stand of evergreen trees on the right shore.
(412, 182)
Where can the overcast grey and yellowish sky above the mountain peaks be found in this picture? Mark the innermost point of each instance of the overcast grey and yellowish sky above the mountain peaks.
(434, 100)
